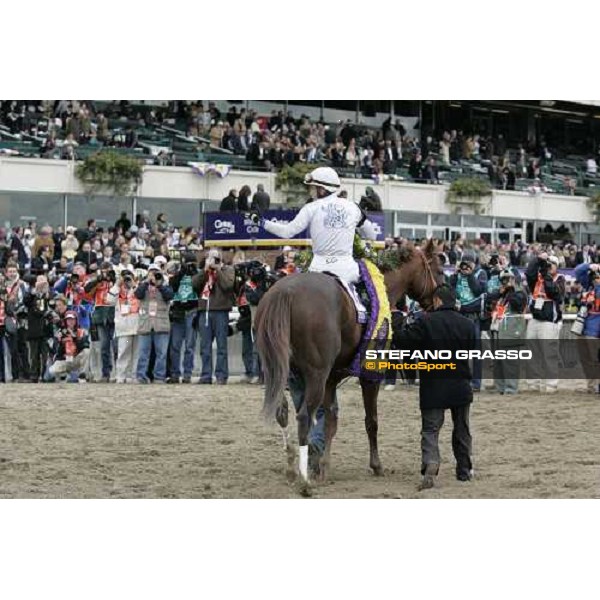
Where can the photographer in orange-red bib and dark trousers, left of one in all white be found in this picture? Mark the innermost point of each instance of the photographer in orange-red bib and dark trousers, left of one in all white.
(103, 317)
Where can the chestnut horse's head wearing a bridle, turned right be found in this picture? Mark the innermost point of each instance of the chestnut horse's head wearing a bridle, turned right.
(416, 271)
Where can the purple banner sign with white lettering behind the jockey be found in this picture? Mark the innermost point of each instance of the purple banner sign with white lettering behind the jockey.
(234, 229)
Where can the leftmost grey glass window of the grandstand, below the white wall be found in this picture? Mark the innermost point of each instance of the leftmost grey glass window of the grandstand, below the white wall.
(21, 209)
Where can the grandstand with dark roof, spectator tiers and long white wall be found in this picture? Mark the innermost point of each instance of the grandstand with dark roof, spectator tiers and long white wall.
(554, 140)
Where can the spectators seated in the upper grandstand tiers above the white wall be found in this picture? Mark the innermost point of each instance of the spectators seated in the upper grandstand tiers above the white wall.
(271, 141)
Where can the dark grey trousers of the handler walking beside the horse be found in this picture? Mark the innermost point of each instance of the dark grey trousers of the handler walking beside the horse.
(432, 421)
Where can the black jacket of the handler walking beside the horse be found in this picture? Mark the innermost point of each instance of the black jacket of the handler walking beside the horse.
(441, 329)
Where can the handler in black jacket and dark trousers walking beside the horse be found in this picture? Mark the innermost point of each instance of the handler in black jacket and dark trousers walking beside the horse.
(443, 329)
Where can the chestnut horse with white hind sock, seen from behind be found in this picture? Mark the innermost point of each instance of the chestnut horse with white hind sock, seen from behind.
(307, 322)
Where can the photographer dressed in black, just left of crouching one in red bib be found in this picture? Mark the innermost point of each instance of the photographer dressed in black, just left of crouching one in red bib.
(39, 326)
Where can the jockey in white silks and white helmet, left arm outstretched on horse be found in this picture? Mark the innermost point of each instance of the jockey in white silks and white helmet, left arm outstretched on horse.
(331, 222)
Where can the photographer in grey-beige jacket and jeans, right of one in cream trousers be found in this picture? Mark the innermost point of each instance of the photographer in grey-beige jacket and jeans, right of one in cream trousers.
(154, 295)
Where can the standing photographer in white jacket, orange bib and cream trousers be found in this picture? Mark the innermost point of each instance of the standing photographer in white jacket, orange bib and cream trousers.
(127, 308)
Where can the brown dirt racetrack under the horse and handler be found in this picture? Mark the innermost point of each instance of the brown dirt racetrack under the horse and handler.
(110, 441)
